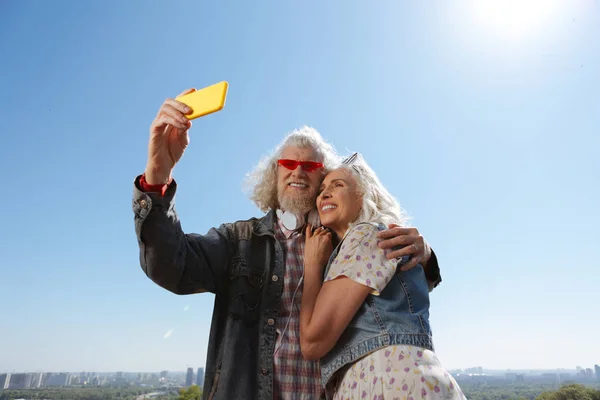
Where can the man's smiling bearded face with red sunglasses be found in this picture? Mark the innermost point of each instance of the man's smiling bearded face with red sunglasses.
(297, 189)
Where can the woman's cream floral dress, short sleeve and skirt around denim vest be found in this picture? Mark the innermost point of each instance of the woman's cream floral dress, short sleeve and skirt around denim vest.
(392, 372)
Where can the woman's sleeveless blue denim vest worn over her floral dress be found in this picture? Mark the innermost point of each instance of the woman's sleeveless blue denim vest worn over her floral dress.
(398, 316)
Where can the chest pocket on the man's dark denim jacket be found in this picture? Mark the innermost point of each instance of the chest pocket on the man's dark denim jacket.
(245, 292)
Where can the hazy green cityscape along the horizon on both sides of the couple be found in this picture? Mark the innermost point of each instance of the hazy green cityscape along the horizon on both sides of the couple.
(476, 382)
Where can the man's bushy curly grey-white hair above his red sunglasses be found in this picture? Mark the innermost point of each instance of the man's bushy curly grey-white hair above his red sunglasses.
(261, 182)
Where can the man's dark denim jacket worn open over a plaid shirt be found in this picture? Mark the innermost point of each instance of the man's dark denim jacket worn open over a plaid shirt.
(243, 265)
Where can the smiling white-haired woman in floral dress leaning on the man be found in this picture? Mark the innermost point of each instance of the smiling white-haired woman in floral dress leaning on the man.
(365, 318)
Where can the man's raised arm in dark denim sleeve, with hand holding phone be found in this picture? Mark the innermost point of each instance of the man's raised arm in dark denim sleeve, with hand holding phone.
(181, 263)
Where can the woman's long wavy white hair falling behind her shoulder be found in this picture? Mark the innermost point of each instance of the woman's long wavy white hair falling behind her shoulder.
(379, 206)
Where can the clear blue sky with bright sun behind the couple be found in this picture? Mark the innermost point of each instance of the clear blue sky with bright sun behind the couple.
(483, 122)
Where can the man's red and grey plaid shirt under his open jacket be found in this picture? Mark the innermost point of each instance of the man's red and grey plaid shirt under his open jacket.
(294, 377)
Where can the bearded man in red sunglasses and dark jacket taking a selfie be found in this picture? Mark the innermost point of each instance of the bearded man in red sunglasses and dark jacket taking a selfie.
(254, 267)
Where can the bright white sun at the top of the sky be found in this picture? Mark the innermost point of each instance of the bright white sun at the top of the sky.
(516, 19)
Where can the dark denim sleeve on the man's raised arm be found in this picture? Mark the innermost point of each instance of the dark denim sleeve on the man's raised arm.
(181, 263)
